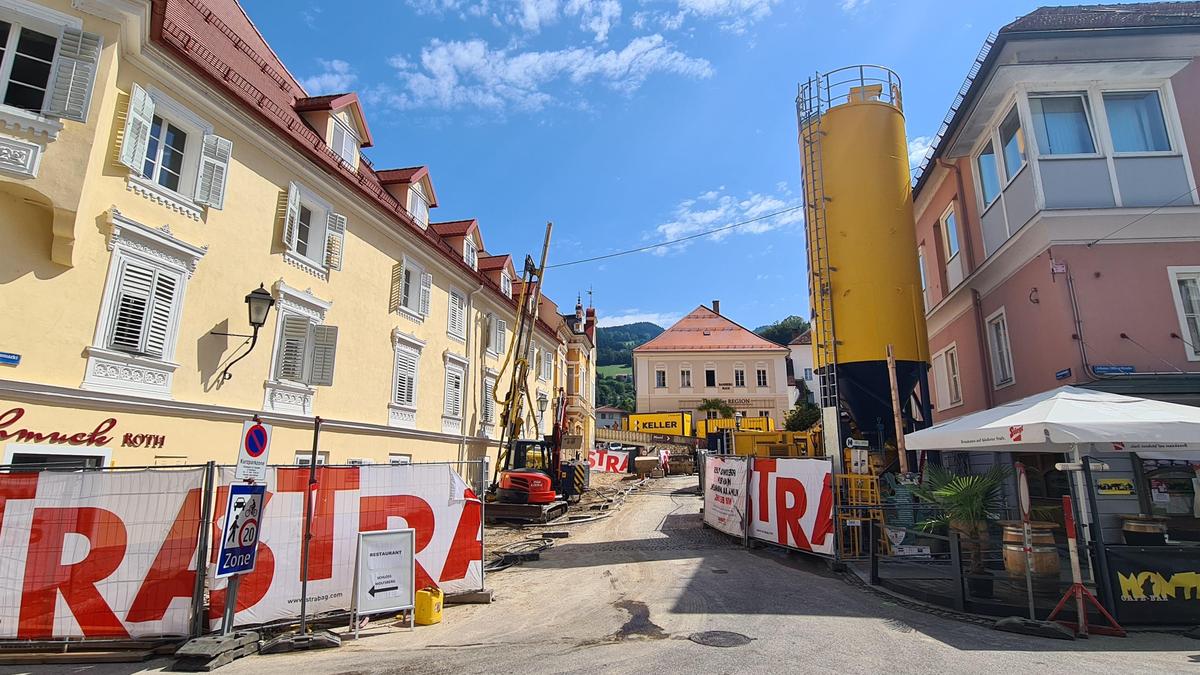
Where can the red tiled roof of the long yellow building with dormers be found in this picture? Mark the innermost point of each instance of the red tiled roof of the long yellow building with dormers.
(220, 43)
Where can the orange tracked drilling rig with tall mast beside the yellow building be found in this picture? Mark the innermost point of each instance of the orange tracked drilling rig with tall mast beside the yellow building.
(532, 482)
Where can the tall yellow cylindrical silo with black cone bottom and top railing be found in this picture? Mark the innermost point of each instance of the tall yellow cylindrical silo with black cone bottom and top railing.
(863, 271)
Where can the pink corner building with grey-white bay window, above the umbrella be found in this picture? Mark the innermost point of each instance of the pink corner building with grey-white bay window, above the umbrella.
(1058, 216)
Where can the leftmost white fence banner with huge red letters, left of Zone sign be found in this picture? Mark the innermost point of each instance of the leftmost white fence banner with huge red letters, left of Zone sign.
(98, 554)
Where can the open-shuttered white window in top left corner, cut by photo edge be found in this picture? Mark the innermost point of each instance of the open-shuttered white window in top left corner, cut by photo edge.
(47, 64)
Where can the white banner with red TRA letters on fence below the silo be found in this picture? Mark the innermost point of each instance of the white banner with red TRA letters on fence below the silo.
(793, 504)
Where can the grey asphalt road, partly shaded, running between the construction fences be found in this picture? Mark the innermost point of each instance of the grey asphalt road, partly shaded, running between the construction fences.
(625, 595)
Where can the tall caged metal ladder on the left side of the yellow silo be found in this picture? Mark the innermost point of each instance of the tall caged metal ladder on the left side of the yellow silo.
(811, 111)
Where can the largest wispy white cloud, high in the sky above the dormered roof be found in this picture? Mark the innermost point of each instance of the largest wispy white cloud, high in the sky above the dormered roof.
(471, 74)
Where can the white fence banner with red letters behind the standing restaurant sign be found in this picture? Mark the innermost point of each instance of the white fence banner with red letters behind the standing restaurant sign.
(431, 499)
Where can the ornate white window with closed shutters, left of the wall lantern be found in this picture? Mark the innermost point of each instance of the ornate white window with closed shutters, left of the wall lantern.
(141, 310)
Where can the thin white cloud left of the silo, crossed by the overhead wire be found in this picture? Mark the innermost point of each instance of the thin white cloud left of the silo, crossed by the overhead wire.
(716, 208)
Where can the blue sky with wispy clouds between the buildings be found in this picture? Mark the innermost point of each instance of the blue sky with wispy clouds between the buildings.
(625, 122)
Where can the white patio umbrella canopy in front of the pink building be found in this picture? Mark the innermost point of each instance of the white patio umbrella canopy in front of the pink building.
(1069, 419)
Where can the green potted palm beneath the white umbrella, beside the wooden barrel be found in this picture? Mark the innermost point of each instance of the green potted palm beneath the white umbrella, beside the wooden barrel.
(965, 505)
